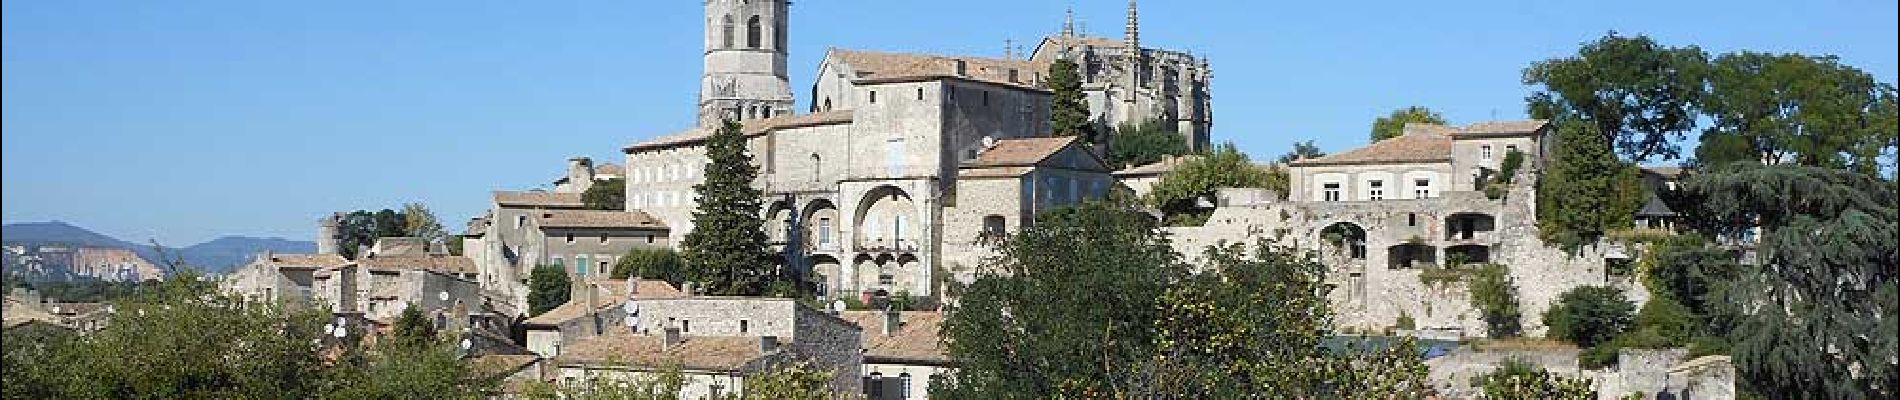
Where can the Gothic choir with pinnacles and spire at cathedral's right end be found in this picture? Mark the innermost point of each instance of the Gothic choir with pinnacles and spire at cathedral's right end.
(1133, 84)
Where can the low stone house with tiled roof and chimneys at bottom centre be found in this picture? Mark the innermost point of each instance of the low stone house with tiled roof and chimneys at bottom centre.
(717, 342)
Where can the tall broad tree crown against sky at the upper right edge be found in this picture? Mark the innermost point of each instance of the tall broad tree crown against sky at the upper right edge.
(1810, 111)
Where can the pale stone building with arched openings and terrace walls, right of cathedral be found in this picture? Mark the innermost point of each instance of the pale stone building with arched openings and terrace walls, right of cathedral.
(1396, 213)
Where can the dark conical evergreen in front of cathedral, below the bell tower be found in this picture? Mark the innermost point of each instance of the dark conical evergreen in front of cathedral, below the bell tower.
(727, 251)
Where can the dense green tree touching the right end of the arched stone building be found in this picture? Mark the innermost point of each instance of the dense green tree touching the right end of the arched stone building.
(1587, 191)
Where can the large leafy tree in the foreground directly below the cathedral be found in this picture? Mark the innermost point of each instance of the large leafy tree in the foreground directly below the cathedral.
(1067, 310)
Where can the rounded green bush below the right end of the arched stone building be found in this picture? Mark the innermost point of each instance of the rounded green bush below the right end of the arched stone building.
(1589, 316)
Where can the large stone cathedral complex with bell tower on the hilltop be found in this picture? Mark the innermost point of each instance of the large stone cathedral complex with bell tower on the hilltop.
(905, 162)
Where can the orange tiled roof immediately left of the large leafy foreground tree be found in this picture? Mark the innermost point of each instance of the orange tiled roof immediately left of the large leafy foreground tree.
(915, 338)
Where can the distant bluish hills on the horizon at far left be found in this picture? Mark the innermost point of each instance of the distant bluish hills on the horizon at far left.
(214, 257)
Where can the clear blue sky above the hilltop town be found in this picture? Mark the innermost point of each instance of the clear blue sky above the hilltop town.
(197, 118)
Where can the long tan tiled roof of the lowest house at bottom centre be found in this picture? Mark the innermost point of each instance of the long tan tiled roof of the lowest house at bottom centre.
(620, 348)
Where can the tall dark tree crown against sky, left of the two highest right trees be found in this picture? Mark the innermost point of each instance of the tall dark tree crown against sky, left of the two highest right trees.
(1633, 92)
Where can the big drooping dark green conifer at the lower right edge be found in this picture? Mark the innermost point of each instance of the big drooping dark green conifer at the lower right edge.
(1814, 314)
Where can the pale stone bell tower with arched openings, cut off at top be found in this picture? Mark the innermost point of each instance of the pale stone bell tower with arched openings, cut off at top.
(746, 62)
